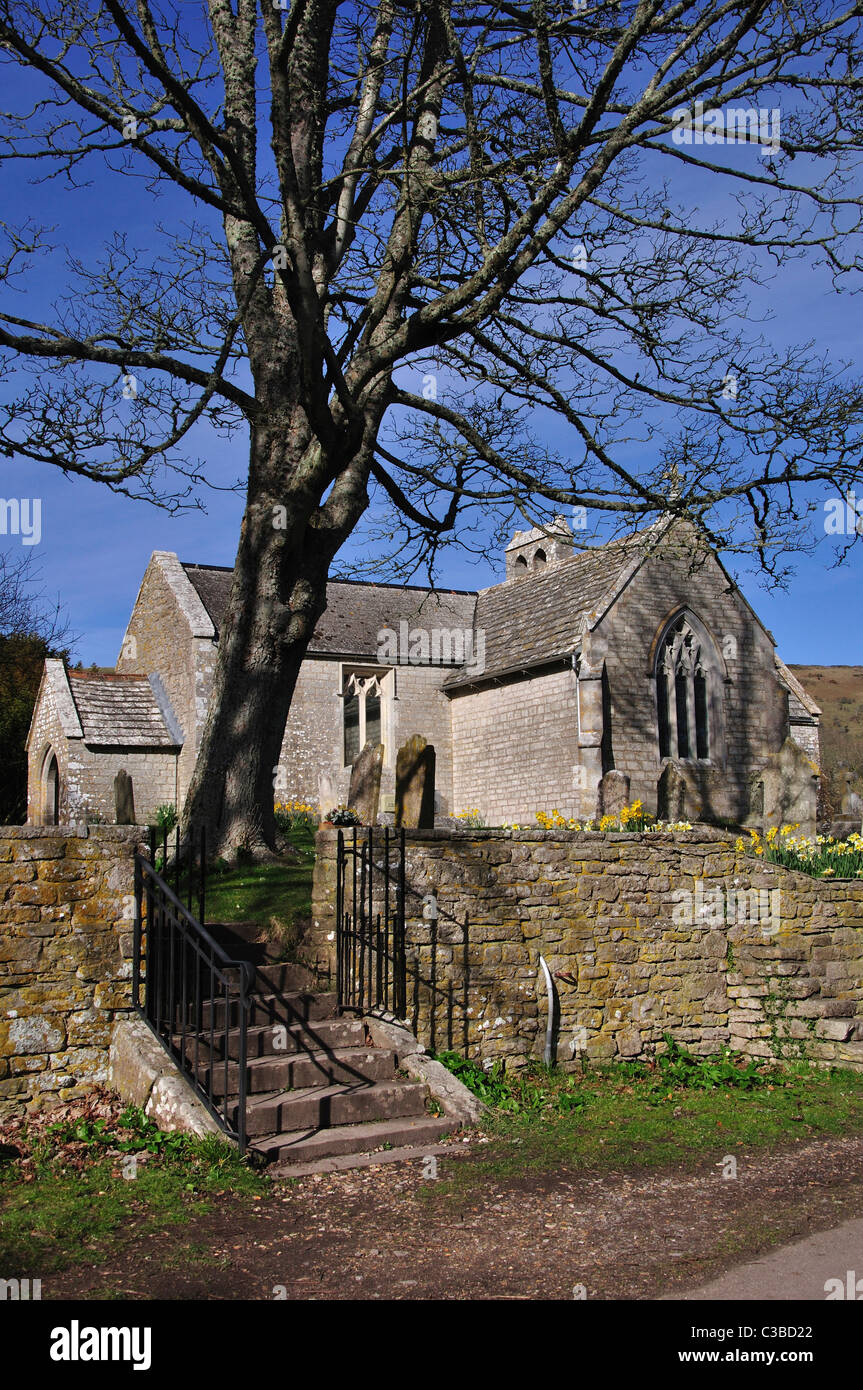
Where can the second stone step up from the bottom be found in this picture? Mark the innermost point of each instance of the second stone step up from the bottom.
(323, 1107)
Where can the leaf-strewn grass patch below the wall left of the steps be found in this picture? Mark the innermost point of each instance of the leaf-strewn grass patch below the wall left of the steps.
(59, 1211)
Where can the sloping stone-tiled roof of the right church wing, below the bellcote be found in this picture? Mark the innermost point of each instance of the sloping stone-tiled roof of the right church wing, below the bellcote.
(541, 618)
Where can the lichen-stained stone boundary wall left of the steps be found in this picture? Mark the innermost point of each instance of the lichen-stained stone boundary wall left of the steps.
(67, 913)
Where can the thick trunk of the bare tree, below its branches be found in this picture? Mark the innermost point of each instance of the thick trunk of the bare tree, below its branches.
(277, 597)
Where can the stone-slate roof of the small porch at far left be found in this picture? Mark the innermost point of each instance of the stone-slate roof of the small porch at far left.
(119, 711)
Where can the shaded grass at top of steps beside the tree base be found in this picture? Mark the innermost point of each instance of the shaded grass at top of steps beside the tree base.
(259, 892)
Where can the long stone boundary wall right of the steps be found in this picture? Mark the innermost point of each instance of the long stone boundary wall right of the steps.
(646, 933)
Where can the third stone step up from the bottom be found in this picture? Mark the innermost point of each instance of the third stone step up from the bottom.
(302, 1072)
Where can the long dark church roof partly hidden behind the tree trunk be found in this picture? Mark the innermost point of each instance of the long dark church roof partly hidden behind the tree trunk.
(356, 612)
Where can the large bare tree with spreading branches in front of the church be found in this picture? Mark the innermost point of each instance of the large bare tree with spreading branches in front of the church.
(416, 226)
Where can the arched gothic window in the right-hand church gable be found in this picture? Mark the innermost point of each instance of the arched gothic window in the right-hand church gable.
(683, 694)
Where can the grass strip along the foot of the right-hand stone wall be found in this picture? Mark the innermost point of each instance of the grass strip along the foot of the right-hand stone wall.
(629, 1115)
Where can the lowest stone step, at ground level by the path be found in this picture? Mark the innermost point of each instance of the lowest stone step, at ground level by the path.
(312, 1147)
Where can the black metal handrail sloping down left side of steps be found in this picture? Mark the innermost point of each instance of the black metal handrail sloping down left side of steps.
(165, 996)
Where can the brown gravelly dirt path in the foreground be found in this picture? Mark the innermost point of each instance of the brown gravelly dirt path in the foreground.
(390, 1234)
